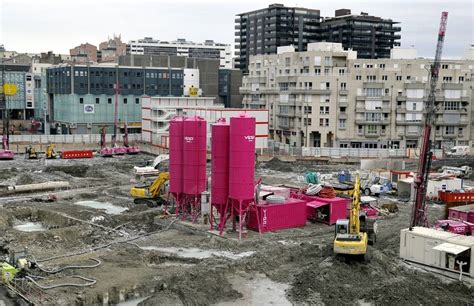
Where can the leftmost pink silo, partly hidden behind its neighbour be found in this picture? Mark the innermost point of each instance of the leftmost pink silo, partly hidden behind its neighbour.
(176, 155)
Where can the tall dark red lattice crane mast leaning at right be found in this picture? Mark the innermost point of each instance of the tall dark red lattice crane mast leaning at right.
(419, 217)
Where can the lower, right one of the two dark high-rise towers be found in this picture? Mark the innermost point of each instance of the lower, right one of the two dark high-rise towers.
(370, 36)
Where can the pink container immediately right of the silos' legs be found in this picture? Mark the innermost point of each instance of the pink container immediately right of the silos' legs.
(278, 216)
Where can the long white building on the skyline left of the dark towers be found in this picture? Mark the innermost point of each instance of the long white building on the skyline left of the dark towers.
(182, 47)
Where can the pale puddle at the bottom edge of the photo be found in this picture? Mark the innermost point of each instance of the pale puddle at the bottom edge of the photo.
(258, 291)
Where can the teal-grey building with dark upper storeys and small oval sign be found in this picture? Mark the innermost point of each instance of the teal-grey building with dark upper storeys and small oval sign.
(82, 98)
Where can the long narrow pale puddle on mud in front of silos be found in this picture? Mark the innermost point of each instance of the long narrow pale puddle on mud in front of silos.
(198, 253)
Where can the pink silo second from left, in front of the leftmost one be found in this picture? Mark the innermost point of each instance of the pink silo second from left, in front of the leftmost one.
(194, 155)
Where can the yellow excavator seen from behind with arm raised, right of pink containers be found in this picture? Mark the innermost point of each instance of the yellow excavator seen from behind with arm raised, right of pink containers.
(353, 235)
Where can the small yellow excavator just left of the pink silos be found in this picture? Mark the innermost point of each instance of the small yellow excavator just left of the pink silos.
(152, 195)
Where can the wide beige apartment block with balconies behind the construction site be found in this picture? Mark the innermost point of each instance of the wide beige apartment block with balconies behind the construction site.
(326, 97)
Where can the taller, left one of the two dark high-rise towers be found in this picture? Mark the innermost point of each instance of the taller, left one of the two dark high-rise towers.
(262, 31)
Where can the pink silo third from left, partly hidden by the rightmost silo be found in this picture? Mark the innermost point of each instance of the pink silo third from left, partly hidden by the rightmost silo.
(220, 162)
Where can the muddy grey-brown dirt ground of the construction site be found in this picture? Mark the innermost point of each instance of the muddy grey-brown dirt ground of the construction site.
(147, 260)
